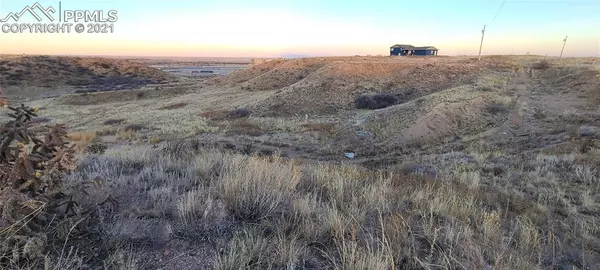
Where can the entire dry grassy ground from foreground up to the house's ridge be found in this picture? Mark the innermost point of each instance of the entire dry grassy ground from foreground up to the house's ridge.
(459, 164)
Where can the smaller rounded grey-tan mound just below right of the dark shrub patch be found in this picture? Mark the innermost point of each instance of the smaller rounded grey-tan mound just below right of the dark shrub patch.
(446, 115)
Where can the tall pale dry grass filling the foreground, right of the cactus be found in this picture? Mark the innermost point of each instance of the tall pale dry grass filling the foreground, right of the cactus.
(271, 213)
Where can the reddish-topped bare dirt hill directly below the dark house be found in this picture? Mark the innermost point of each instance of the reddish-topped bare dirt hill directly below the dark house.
(329, 85)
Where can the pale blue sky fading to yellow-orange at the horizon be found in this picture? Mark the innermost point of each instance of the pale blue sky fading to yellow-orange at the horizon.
(270, 28)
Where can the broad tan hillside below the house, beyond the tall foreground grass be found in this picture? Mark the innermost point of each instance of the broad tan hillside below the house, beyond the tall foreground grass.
(436, 102)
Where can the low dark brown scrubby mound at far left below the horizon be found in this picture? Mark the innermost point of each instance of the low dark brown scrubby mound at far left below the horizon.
(89, 73)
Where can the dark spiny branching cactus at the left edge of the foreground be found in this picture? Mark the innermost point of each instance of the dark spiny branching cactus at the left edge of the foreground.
(33, 194)
